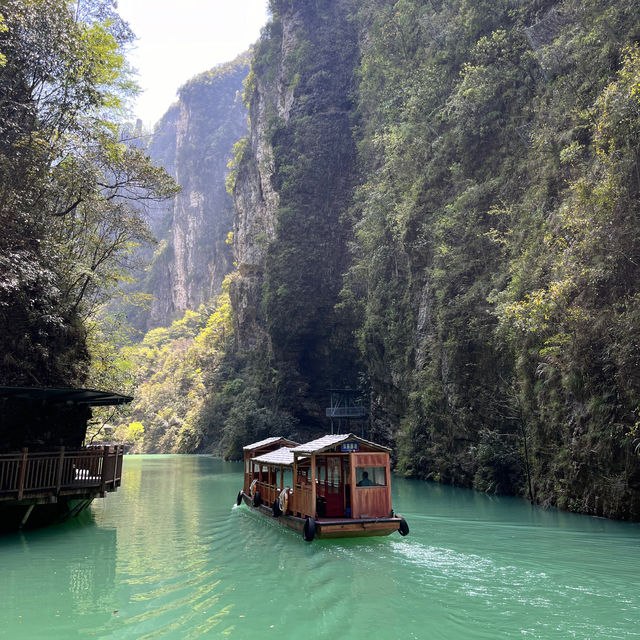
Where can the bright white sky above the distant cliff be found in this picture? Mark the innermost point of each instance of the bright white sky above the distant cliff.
(177, 40)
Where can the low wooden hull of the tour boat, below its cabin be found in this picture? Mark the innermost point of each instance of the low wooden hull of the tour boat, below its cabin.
(327, 528)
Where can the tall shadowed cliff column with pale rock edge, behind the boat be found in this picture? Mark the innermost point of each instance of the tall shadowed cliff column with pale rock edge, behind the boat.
(292, 192)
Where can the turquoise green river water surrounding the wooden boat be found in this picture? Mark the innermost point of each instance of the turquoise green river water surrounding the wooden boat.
(169, 556)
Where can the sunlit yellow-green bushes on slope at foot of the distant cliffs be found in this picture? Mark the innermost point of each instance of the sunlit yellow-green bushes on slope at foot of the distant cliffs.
(189, 394)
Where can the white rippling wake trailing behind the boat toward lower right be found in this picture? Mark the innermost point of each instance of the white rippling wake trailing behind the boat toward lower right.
(506, 591)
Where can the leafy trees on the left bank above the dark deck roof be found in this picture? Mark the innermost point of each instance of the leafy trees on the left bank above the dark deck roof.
(67, 182)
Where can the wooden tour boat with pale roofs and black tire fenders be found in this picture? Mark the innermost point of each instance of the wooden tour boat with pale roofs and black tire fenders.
(337, 486)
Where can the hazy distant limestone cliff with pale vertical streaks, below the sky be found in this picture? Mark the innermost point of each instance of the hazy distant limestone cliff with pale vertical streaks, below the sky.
(194, 142)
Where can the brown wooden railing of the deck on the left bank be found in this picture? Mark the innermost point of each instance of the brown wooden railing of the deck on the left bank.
(35, 474)
